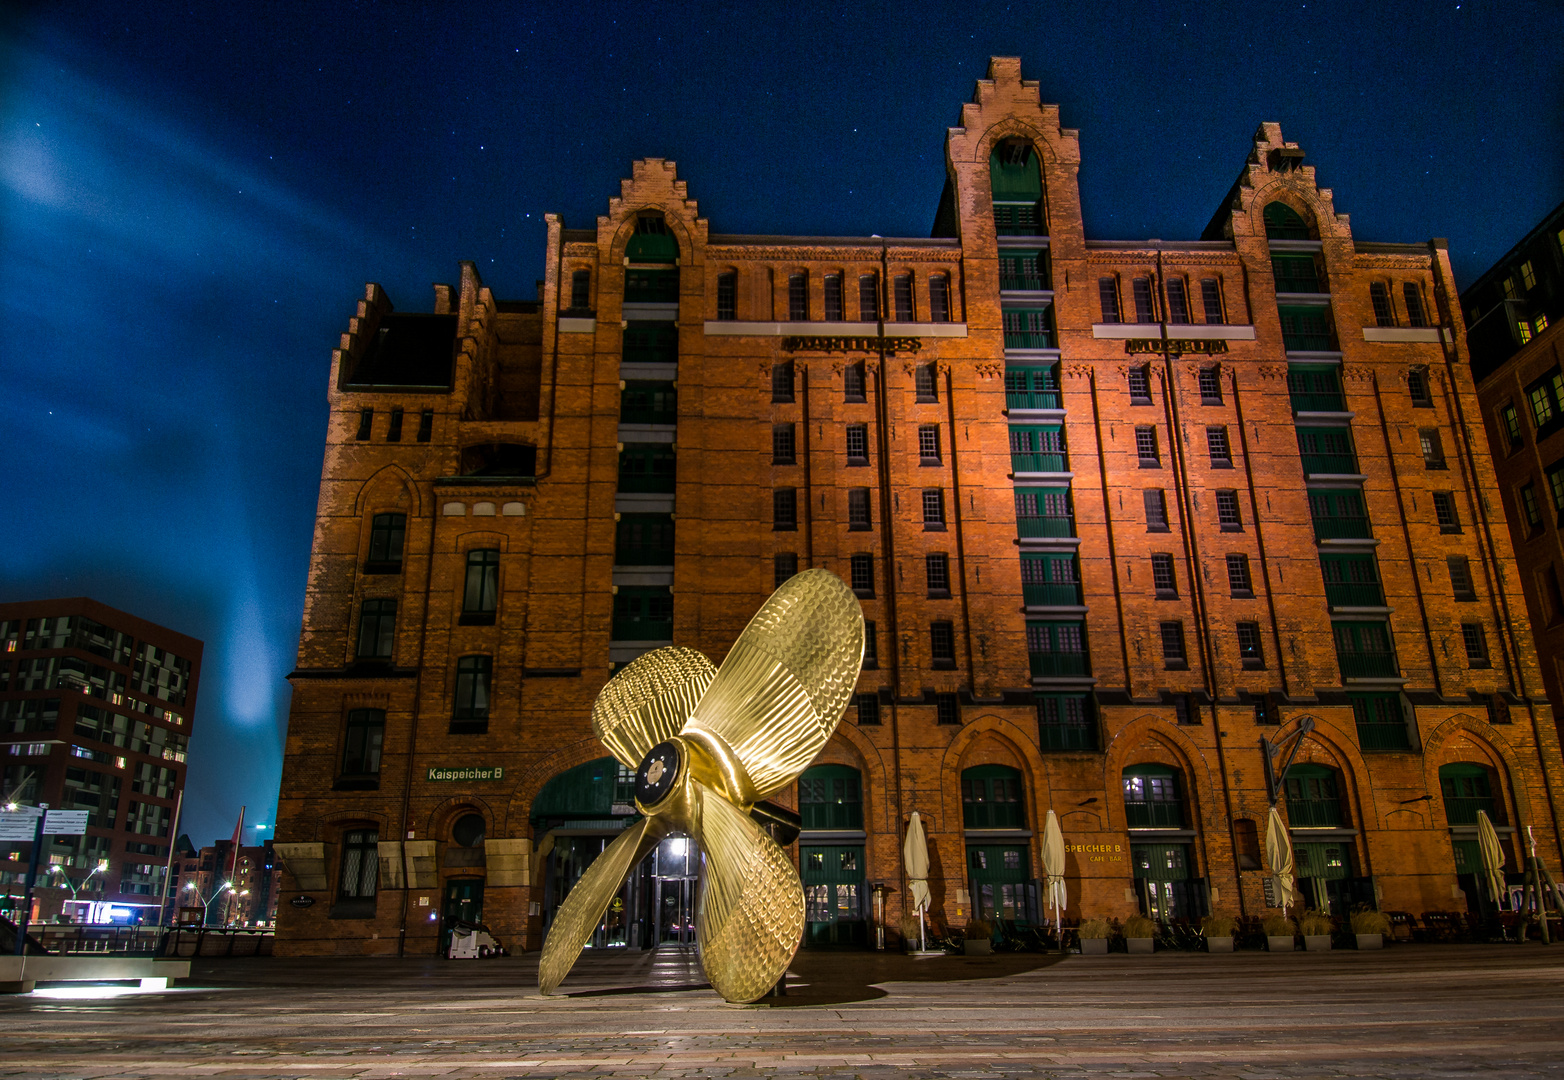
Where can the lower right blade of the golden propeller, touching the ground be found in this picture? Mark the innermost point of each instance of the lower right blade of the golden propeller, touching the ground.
(752, 910)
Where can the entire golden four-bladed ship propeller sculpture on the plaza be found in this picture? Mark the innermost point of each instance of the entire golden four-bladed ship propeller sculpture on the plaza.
(709, 745)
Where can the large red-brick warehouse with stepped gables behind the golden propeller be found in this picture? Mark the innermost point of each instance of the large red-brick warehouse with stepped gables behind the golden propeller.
(1117, 512)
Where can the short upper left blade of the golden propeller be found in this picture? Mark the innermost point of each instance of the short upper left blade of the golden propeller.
(650, 701)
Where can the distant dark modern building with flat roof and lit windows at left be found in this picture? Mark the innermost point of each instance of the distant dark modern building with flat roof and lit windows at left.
(96, 715)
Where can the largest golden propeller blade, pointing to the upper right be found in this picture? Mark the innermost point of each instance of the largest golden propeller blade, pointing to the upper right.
(784, 687)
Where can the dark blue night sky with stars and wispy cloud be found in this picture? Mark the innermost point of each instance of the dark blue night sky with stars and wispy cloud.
(192, 199)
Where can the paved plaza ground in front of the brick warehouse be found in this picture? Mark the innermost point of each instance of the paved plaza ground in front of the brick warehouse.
(1410, 1012)
